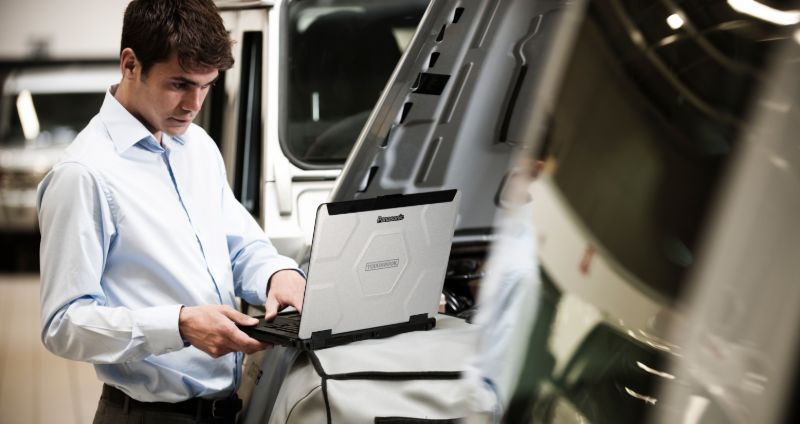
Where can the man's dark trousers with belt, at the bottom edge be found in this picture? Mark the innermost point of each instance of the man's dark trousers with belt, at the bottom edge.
(116, 407)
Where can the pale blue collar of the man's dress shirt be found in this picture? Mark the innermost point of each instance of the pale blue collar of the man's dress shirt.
(124, 129)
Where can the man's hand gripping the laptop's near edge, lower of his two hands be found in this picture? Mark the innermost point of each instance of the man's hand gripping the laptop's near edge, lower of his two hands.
(212, 329)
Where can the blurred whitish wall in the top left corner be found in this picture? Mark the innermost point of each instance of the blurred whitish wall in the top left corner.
(85, 29)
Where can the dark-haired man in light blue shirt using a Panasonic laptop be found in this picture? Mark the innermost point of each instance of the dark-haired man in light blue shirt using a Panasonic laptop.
(144, 246)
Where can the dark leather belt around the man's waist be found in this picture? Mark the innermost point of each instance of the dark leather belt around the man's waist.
(196, 407)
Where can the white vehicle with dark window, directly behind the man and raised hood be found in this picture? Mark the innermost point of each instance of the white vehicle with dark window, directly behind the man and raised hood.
(306, 77)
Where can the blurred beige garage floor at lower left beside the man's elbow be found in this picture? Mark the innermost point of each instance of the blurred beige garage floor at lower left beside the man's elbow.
(35, 385)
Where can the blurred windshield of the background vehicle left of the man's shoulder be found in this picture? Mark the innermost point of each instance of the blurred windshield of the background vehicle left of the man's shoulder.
(45, 119)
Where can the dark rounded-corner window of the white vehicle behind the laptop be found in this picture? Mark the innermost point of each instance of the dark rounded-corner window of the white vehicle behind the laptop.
(339, 60)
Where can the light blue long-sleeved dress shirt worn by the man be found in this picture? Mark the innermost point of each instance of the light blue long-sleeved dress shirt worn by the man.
(131, 231)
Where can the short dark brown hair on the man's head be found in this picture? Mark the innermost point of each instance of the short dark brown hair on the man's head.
(192, 29)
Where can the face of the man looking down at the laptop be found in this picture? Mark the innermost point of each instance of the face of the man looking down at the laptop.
(168, 98)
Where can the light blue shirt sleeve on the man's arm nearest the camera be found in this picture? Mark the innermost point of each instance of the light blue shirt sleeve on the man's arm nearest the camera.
(77, 227)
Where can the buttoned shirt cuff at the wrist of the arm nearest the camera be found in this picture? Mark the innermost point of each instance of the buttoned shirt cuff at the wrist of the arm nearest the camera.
(159, 327)
